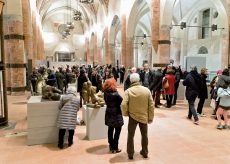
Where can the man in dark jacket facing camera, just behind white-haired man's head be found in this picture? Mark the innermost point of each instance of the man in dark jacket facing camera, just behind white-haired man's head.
(146, 76)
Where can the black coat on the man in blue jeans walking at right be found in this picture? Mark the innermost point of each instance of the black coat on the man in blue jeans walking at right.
(193, 85)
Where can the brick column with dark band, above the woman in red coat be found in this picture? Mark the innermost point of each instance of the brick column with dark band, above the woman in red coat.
(164, 44)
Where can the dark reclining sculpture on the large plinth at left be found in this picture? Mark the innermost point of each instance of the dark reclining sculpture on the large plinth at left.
(51, 93)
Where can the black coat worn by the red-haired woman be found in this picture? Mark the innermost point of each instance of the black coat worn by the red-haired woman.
(113, 115)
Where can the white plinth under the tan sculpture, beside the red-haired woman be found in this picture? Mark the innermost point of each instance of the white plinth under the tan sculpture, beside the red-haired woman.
(95, 123)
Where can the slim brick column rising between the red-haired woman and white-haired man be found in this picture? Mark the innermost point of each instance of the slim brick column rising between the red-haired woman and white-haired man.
(123, 41)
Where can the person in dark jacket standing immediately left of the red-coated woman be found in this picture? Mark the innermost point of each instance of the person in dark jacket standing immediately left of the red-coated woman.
(156, 86)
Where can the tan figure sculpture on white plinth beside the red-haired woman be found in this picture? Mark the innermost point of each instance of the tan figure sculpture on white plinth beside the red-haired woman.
(90, 97)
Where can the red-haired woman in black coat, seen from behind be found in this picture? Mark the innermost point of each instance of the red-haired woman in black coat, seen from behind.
(113, 115)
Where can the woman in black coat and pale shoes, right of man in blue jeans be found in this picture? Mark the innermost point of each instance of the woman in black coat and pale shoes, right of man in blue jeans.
(203, 93)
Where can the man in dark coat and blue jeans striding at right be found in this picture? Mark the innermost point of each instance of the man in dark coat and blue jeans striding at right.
(192, 83)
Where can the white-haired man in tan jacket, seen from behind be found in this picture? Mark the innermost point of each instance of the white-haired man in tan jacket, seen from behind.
(138, 106)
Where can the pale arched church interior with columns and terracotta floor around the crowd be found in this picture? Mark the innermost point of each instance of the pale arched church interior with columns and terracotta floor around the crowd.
(129, 33)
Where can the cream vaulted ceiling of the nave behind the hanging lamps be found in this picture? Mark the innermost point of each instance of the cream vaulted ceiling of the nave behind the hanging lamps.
(56, 12)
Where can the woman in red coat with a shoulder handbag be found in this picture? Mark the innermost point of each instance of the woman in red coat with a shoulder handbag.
(168, 84)
